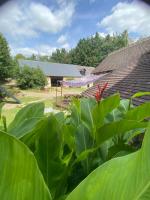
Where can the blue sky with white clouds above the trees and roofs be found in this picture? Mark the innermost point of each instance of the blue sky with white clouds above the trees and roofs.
(42, 26)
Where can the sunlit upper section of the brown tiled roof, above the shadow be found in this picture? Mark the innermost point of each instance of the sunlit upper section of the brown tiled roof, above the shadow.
(124, 57)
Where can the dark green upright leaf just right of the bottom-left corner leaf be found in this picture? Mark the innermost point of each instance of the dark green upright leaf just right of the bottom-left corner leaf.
(48, 152)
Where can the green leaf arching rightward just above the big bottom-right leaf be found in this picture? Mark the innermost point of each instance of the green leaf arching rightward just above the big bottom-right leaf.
(115, 128)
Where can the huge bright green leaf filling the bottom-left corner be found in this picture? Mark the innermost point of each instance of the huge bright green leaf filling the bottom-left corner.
(21, 178)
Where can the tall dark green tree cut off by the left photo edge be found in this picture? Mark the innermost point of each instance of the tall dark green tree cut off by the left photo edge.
(5, 59)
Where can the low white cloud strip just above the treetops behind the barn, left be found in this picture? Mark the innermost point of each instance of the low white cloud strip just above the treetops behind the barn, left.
(27, 51)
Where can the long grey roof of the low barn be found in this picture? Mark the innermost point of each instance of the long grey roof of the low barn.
(53, 69)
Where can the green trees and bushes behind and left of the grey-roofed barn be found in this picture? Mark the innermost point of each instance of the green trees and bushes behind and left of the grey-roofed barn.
(88, 52)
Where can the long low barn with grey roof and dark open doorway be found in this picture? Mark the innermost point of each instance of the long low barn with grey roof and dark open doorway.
(56, 72)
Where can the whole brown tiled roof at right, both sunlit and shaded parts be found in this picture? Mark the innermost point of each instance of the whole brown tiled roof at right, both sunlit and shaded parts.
(131, 75)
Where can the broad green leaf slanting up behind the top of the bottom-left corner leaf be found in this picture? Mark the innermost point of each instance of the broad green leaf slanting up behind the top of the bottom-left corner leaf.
(26, 119)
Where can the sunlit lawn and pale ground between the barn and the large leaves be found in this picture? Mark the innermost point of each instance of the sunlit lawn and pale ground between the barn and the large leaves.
(35, 95)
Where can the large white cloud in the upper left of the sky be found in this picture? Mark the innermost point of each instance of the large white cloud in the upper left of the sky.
(29, 20)
